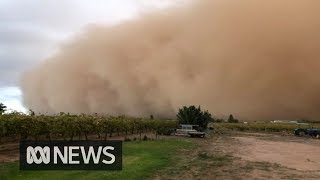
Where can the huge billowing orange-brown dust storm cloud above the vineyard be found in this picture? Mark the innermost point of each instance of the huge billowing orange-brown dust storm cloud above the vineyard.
(258, 60)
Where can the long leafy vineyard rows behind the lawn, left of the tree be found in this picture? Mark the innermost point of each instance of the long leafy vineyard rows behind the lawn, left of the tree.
(19, 126)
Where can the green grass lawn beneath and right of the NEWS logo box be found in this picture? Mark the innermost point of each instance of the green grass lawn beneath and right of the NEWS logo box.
(140, 161)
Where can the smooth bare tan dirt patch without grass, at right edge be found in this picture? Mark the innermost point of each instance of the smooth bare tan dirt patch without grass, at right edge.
(289, 152)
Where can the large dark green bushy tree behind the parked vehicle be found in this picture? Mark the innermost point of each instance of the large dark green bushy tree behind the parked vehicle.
(193, 115)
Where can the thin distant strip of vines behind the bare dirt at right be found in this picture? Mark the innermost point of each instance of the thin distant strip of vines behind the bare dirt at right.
(258, 127)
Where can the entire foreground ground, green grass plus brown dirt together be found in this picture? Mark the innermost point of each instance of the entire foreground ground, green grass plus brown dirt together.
(232, 155)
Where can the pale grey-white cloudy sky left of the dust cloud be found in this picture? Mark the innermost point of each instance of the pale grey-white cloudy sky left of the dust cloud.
(32, 30)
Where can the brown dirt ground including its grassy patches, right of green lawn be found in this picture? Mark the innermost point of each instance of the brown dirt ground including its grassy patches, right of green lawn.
(249, 156)
